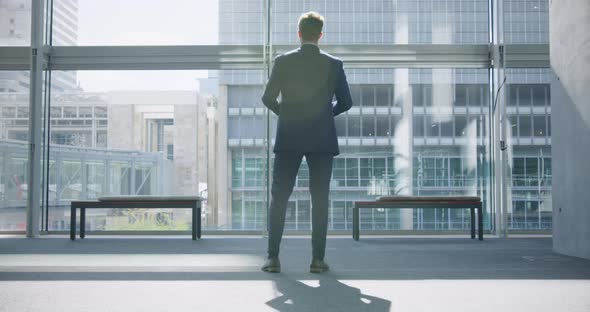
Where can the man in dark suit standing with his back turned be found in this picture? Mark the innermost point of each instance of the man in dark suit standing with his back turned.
(307, 80)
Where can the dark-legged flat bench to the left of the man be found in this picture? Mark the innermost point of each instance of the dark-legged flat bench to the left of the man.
(150, 201)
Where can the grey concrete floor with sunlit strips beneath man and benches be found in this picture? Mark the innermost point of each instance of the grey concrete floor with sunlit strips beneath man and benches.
(222, 274)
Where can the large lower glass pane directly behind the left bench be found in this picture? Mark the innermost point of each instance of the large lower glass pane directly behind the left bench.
(156, 133)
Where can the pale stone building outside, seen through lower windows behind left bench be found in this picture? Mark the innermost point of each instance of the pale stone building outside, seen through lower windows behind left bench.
(117, 143)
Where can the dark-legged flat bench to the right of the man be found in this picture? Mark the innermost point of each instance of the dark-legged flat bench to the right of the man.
(400, 202)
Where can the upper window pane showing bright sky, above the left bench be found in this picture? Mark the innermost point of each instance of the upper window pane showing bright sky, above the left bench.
(160, 22)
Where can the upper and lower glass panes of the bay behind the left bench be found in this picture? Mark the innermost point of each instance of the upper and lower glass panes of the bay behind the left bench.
(156, 132)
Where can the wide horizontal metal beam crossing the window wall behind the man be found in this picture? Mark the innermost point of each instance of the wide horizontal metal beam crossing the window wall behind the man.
(251, 56)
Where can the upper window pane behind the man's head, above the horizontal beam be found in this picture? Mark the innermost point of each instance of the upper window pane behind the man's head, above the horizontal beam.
(385, 22)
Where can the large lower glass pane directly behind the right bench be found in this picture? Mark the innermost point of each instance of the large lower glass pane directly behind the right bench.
(433, 147)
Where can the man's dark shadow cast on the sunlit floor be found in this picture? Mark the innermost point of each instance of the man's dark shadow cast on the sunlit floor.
(331, 295)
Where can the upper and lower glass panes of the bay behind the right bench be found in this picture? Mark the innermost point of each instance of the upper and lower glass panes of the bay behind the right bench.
(411, 131)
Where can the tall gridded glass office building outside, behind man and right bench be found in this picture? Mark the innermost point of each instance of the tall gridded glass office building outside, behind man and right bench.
(420, 131)
